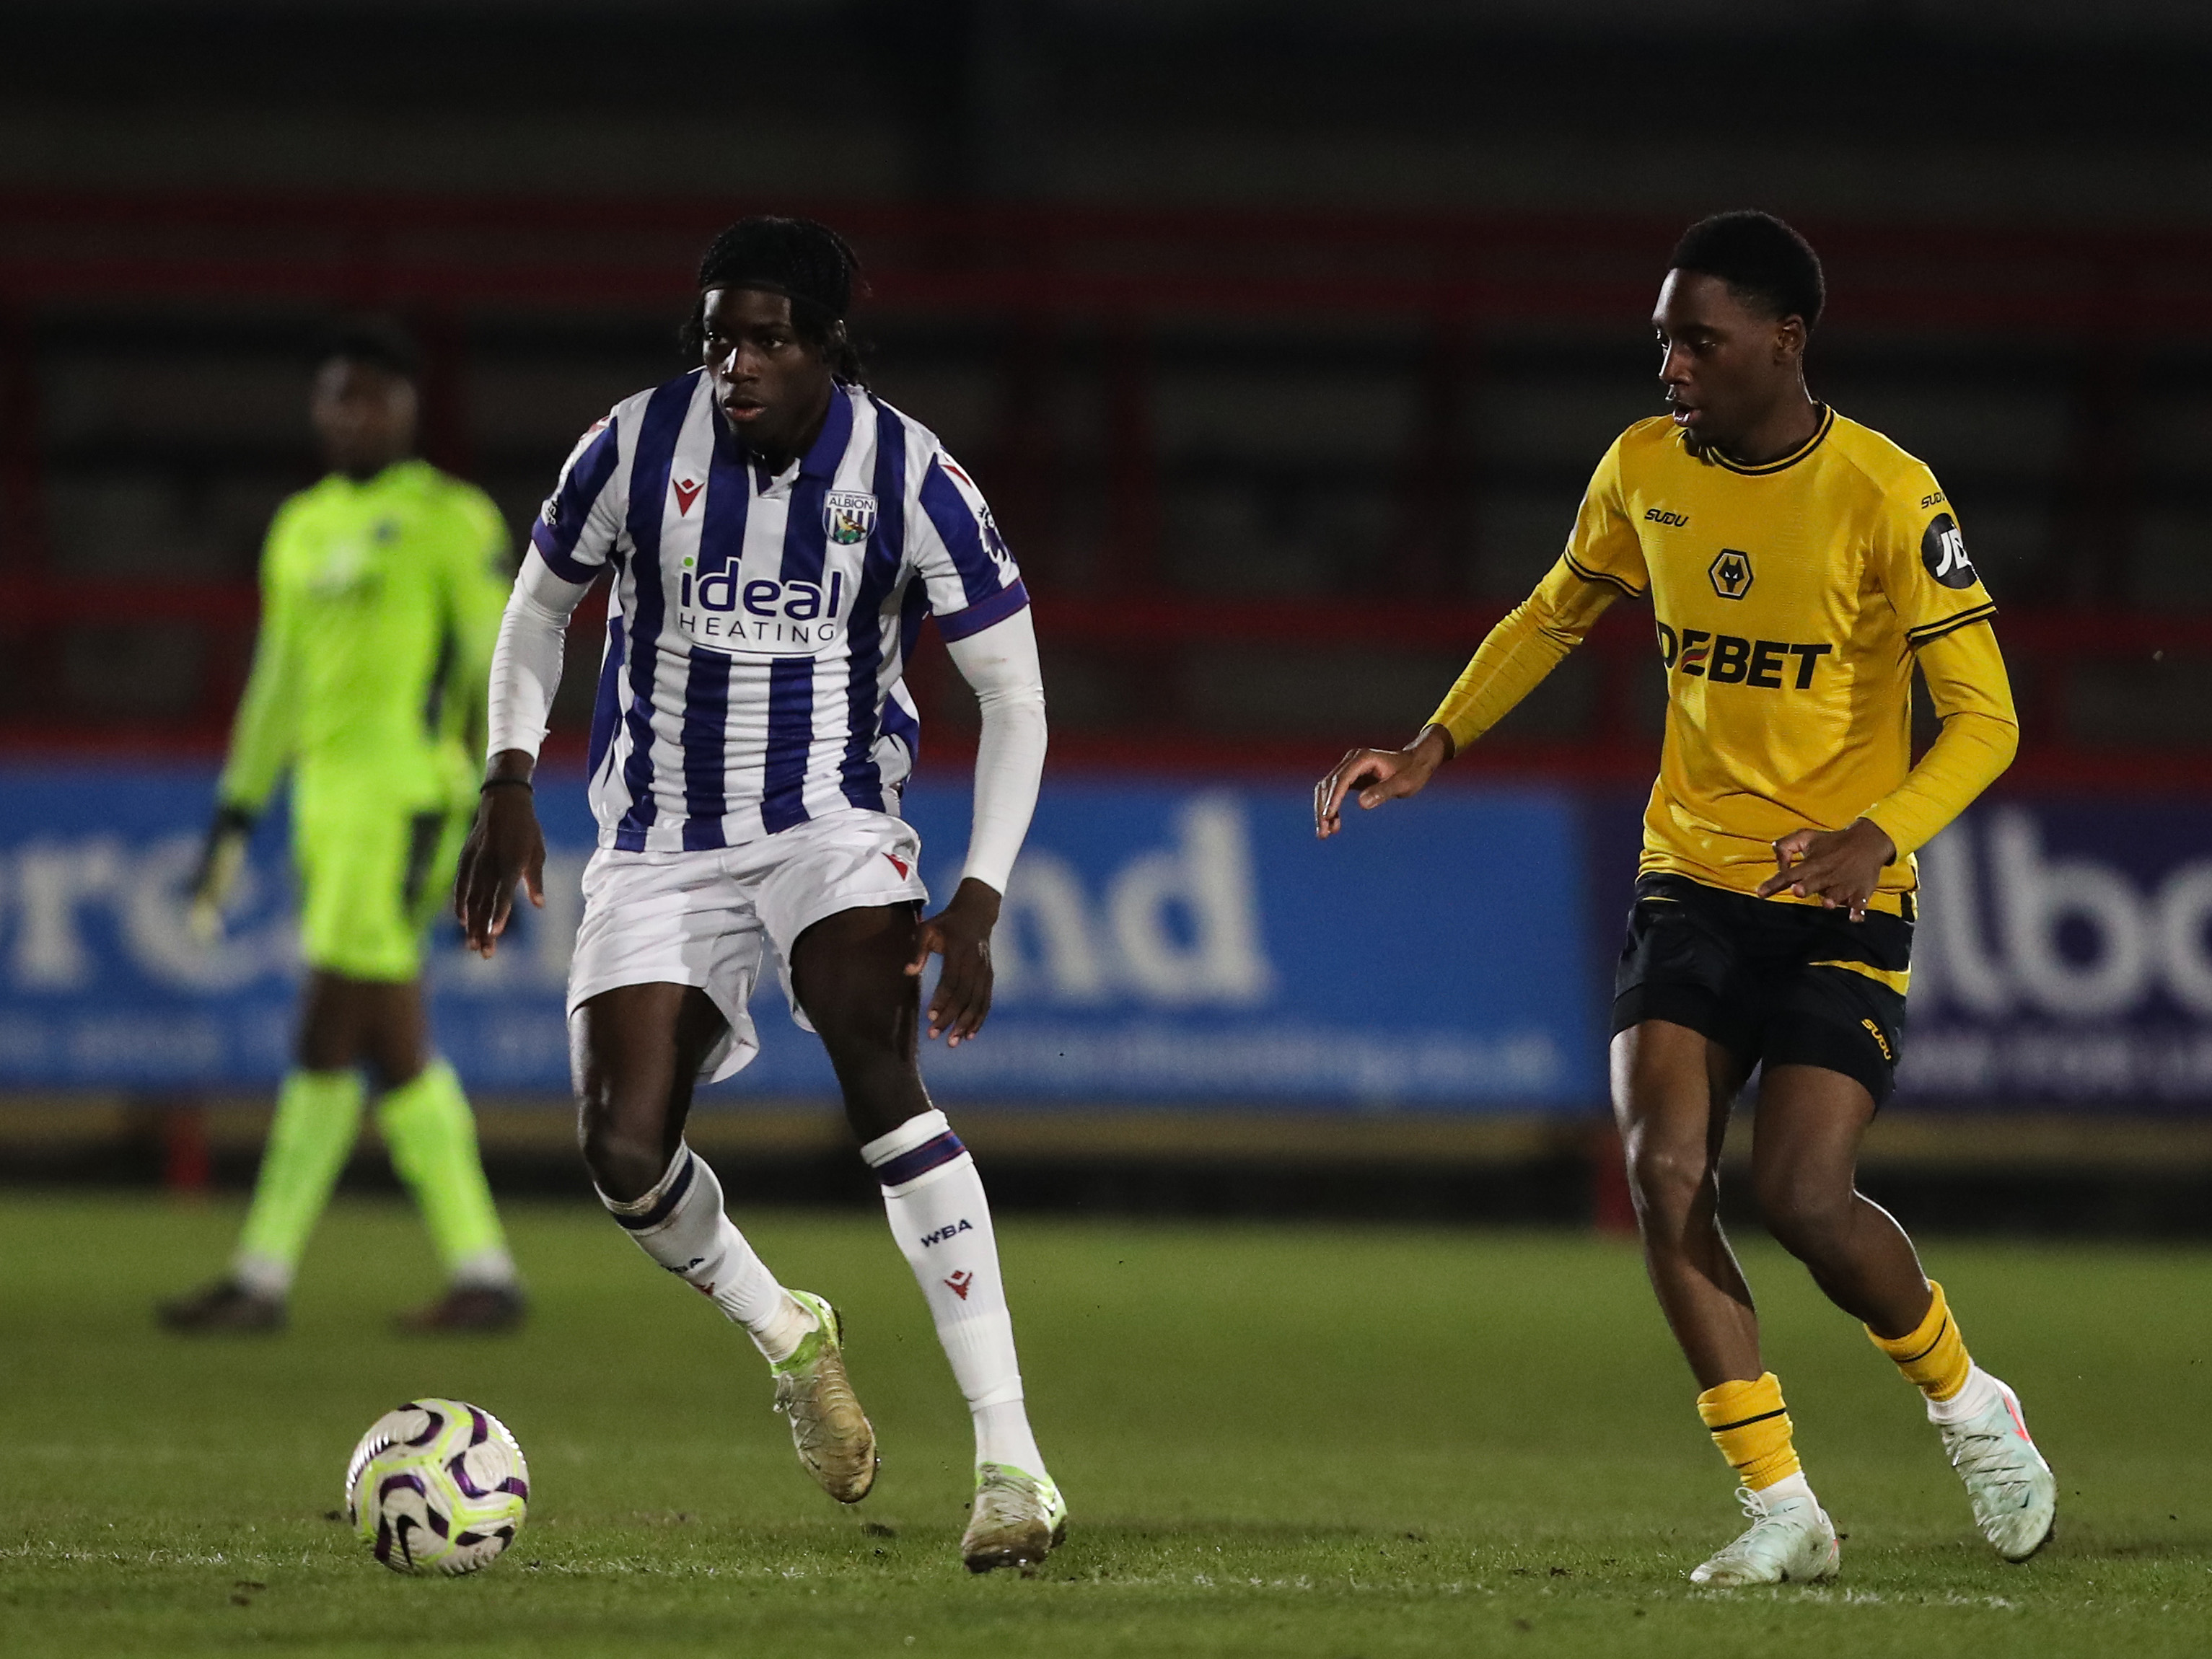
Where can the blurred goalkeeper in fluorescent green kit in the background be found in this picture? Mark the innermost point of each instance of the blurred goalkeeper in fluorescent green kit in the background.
(382, 596)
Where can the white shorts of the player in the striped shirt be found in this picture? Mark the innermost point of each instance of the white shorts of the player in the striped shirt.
(702, 917)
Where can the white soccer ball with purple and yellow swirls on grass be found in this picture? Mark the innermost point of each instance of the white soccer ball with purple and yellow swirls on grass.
(437, 1488)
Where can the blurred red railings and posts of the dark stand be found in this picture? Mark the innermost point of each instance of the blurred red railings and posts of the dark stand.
(1127, 273)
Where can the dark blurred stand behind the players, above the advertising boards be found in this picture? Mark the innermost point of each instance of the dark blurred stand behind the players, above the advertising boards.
(1280, 335)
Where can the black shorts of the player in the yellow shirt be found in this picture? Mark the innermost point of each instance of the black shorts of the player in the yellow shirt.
(1775, 983)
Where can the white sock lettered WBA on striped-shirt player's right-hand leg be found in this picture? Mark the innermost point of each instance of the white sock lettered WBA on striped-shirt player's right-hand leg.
(943, 1224)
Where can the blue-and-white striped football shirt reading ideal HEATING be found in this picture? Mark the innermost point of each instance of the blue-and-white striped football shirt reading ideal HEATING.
(755, 651)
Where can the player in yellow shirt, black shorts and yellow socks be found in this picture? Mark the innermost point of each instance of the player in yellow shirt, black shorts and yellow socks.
(1799, 567)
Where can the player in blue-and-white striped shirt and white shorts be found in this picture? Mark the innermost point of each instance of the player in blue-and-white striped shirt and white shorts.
(775, 539)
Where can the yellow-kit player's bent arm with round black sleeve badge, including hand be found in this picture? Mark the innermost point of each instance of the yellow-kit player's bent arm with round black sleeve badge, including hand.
(1939, 596)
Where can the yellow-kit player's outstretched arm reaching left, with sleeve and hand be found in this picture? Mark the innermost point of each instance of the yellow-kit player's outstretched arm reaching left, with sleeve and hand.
(1600, 565)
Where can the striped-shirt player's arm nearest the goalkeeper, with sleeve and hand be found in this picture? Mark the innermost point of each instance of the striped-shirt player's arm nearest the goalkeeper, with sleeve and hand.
(570, 547)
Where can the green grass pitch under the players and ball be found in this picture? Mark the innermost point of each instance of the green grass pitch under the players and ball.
(1277, 1441)
